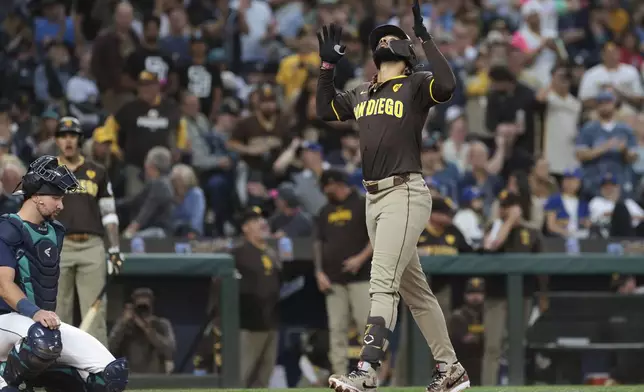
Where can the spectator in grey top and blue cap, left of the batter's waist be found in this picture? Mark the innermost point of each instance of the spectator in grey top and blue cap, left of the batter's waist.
(307, 182)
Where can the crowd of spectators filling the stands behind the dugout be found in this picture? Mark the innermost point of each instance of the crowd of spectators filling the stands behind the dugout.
(202, 109)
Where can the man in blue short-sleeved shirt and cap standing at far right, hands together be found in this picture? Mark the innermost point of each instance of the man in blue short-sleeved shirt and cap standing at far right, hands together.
(606, 146)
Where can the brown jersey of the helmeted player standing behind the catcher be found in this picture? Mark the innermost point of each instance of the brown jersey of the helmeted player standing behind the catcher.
(82, 214)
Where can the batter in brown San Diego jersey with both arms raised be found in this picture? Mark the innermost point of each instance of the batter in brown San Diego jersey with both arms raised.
(391, 112)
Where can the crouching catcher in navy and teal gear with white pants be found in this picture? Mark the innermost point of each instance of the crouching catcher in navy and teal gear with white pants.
(36, 349)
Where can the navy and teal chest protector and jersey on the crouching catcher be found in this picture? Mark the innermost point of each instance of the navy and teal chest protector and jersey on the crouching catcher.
(33, 251)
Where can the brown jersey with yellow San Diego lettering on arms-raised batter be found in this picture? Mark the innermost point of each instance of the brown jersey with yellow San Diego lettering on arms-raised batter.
(391, 116)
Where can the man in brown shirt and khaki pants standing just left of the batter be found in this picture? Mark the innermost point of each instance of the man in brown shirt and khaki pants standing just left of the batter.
(341, 254)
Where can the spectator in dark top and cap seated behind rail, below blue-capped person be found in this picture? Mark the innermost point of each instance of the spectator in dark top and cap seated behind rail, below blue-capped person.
(289, 220)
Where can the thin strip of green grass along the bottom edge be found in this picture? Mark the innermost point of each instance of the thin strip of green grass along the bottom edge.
(635, 388)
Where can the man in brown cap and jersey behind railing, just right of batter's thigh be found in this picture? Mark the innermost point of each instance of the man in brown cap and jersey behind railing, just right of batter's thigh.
(442, 238)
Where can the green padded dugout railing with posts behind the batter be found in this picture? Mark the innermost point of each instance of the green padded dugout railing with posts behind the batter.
(418, 357)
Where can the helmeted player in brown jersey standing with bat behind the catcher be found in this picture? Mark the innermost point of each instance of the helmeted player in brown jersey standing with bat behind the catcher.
(89, 215)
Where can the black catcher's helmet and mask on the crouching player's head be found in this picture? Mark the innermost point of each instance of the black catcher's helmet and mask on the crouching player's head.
(45, 177)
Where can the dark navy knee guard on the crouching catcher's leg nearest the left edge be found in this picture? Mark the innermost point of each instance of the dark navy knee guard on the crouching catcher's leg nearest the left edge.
(36, 352)
